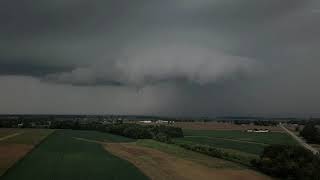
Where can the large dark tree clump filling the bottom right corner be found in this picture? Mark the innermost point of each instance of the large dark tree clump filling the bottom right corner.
(289, 162)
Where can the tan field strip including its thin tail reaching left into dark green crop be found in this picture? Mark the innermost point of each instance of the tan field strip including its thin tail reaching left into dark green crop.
(157, 164)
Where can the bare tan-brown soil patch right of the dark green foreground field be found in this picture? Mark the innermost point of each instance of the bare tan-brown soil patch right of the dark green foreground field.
(161, 166)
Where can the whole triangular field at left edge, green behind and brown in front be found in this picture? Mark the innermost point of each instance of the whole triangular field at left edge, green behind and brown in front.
(16, 143)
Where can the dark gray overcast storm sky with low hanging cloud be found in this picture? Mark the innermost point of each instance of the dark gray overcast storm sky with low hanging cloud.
(168, 57)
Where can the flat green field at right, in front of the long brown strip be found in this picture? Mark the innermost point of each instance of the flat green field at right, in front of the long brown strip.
(252, 143)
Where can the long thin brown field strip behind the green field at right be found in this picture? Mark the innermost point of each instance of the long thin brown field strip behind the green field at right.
(222, 126)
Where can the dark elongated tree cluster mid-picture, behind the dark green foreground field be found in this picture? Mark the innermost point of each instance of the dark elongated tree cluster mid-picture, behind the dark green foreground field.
(136, 131)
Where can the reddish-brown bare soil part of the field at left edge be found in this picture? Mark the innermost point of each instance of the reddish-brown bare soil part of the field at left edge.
(11, 153)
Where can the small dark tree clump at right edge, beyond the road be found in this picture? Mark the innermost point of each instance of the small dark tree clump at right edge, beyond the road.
(311, 133)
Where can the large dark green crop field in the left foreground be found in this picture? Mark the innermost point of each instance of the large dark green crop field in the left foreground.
(62, 157)
